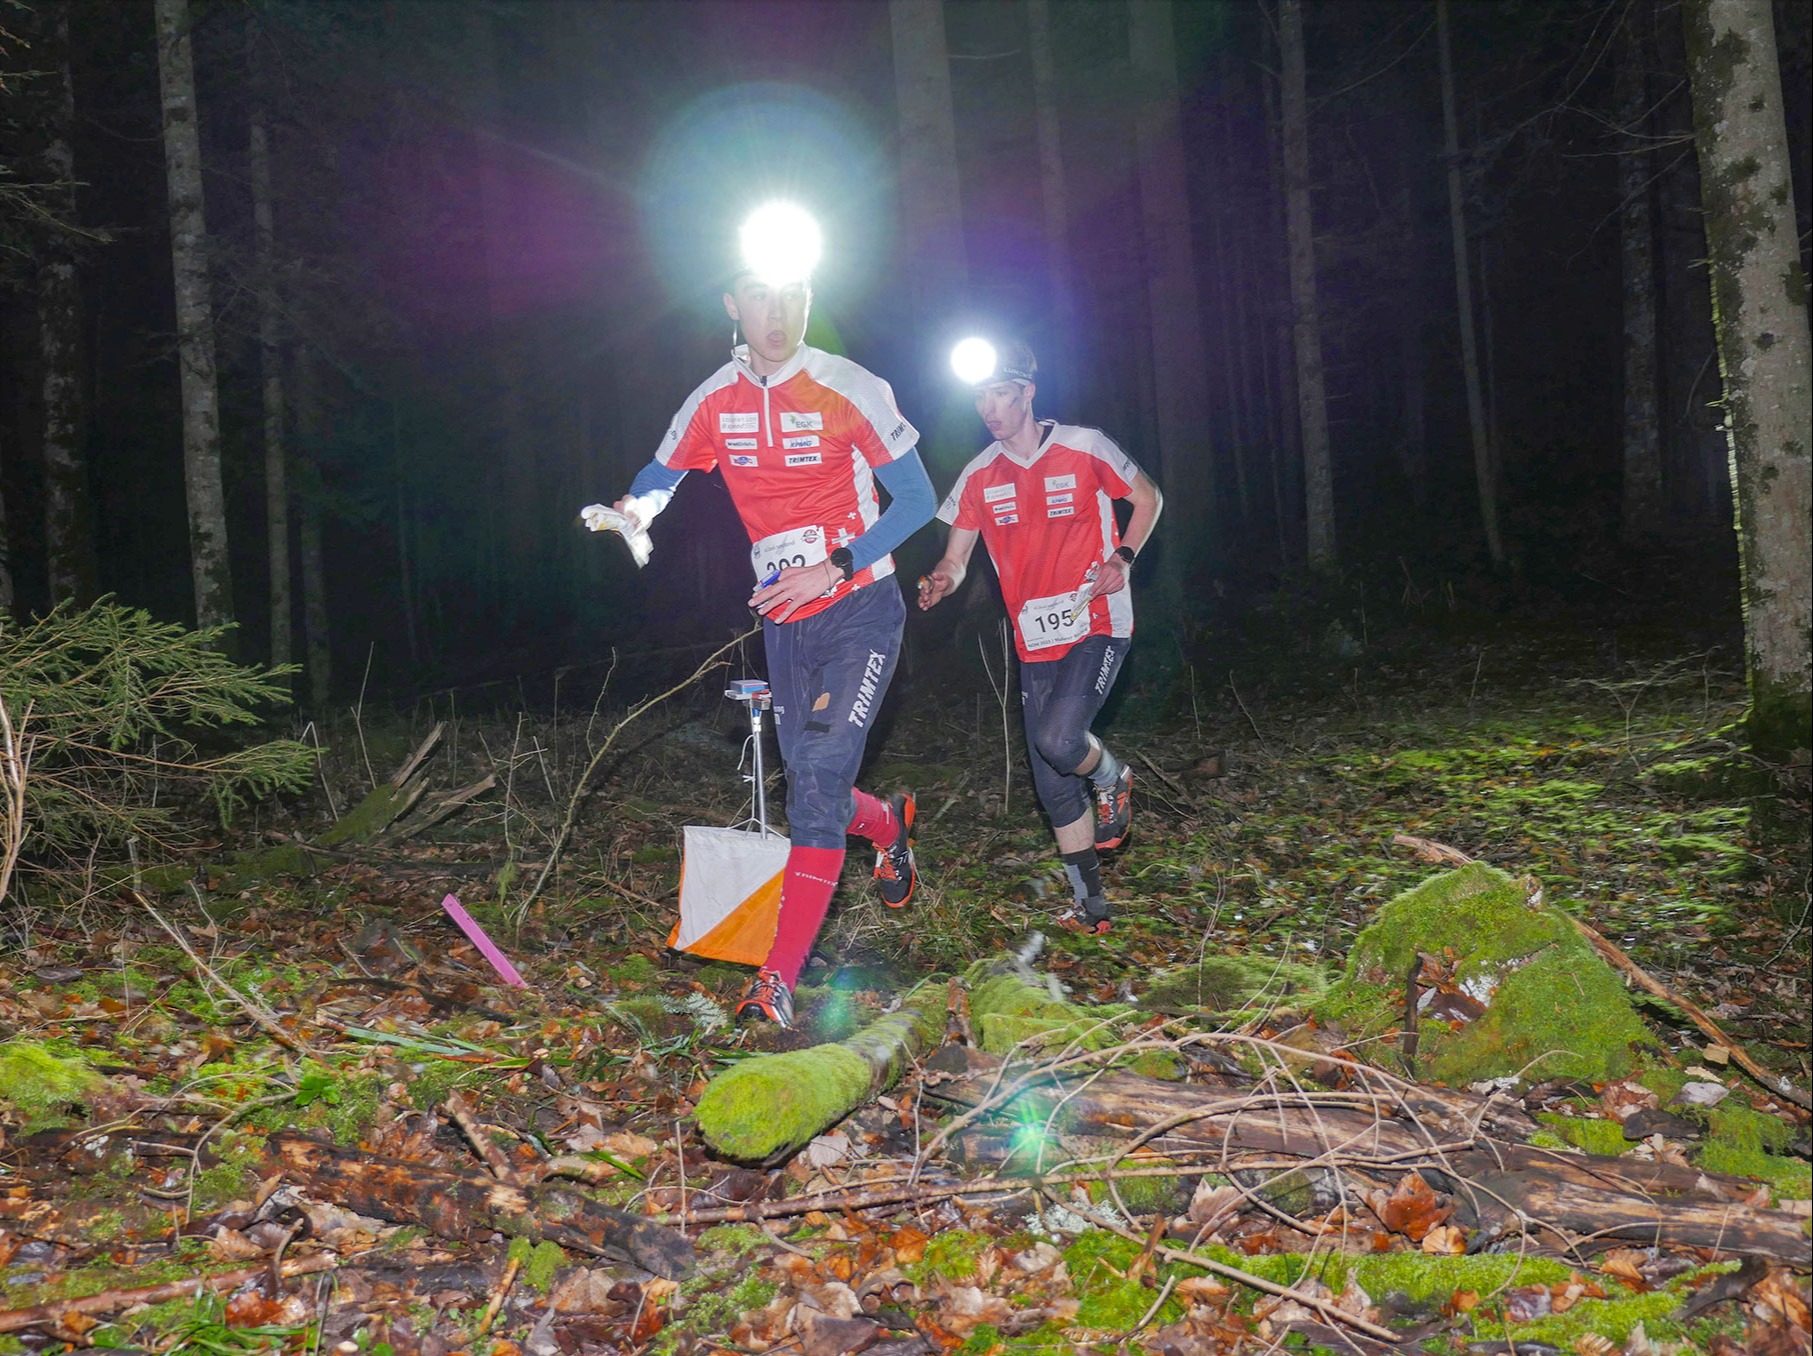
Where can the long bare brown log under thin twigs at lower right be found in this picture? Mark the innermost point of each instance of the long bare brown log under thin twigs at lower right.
(1500, 1185)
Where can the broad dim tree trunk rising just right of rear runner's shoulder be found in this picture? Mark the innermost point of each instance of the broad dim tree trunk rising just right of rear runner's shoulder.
(1179, 356)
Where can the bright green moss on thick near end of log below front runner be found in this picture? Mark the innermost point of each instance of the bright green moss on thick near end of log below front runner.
(764, 1105)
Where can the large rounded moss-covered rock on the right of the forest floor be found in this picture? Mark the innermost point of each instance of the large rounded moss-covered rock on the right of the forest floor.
(1553, 1009)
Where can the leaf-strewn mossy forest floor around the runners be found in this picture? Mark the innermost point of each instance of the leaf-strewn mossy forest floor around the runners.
(1272, 780)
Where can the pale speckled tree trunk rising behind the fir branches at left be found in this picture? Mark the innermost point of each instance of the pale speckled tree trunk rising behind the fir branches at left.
(195, 320)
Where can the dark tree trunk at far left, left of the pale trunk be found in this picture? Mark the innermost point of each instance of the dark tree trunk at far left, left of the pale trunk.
(68, 518)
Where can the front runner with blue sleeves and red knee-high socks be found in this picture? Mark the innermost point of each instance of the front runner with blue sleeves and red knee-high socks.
(802, 440)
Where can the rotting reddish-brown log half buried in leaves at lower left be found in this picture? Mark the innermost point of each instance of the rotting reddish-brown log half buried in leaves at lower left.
(470, 1206)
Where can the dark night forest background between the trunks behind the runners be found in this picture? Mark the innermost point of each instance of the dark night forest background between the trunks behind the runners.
(501, 228)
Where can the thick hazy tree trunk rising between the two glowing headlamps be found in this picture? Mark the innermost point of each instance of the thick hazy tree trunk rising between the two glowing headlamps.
(931, 199)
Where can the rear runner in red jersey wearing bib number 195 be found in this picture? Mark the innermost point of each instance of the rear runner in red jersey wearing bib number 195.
(1043, 499)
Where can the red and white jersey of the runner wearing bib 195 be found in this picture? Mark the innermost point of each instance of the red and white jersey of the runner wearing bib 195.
(1049, 523)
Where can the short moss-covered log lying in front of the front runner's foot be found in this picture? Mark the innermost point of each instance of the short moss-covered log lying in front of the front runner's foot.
(770, 1107)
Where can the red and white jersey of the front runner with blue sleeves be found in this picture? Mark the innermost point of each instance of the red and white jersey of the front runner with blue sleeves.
(799, 452)
